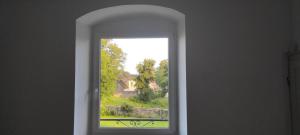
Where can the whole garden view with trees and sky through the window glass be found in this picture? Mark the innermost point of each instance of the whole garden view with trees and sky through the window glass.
(134, 83)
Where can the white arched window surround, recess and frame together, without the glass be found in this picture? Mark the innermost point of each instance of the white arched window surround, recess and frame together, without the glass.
(89, 31)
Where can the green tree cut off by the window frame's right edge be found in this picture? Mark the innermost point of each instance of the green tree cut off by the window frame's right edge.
(162, 78)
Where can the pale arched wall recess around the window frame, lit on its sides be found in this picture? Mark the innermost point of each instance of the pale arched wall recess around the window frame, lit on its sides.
(85, 97)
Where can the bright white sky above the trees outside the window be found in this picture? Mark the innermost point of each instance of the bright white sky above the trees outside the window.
(138, 49)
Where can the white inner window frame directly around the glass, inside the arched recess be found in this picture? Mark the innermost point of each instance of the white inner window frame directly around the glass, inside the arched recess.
(166, 31)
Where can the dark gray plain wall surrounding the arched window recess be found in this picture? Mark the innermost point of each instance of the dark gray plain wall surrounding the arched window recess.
(236, 74)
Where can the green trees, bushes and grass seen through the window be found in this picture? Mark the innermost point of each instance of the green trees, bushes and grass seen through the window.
(112, 62)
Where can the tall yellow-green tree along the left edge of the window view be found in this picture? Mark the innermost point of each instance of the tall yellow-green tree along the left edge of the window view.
(112, 59)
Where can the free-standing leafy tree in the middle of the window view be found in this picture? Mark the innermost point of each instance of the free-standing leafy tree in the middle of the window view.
(146, 74)
